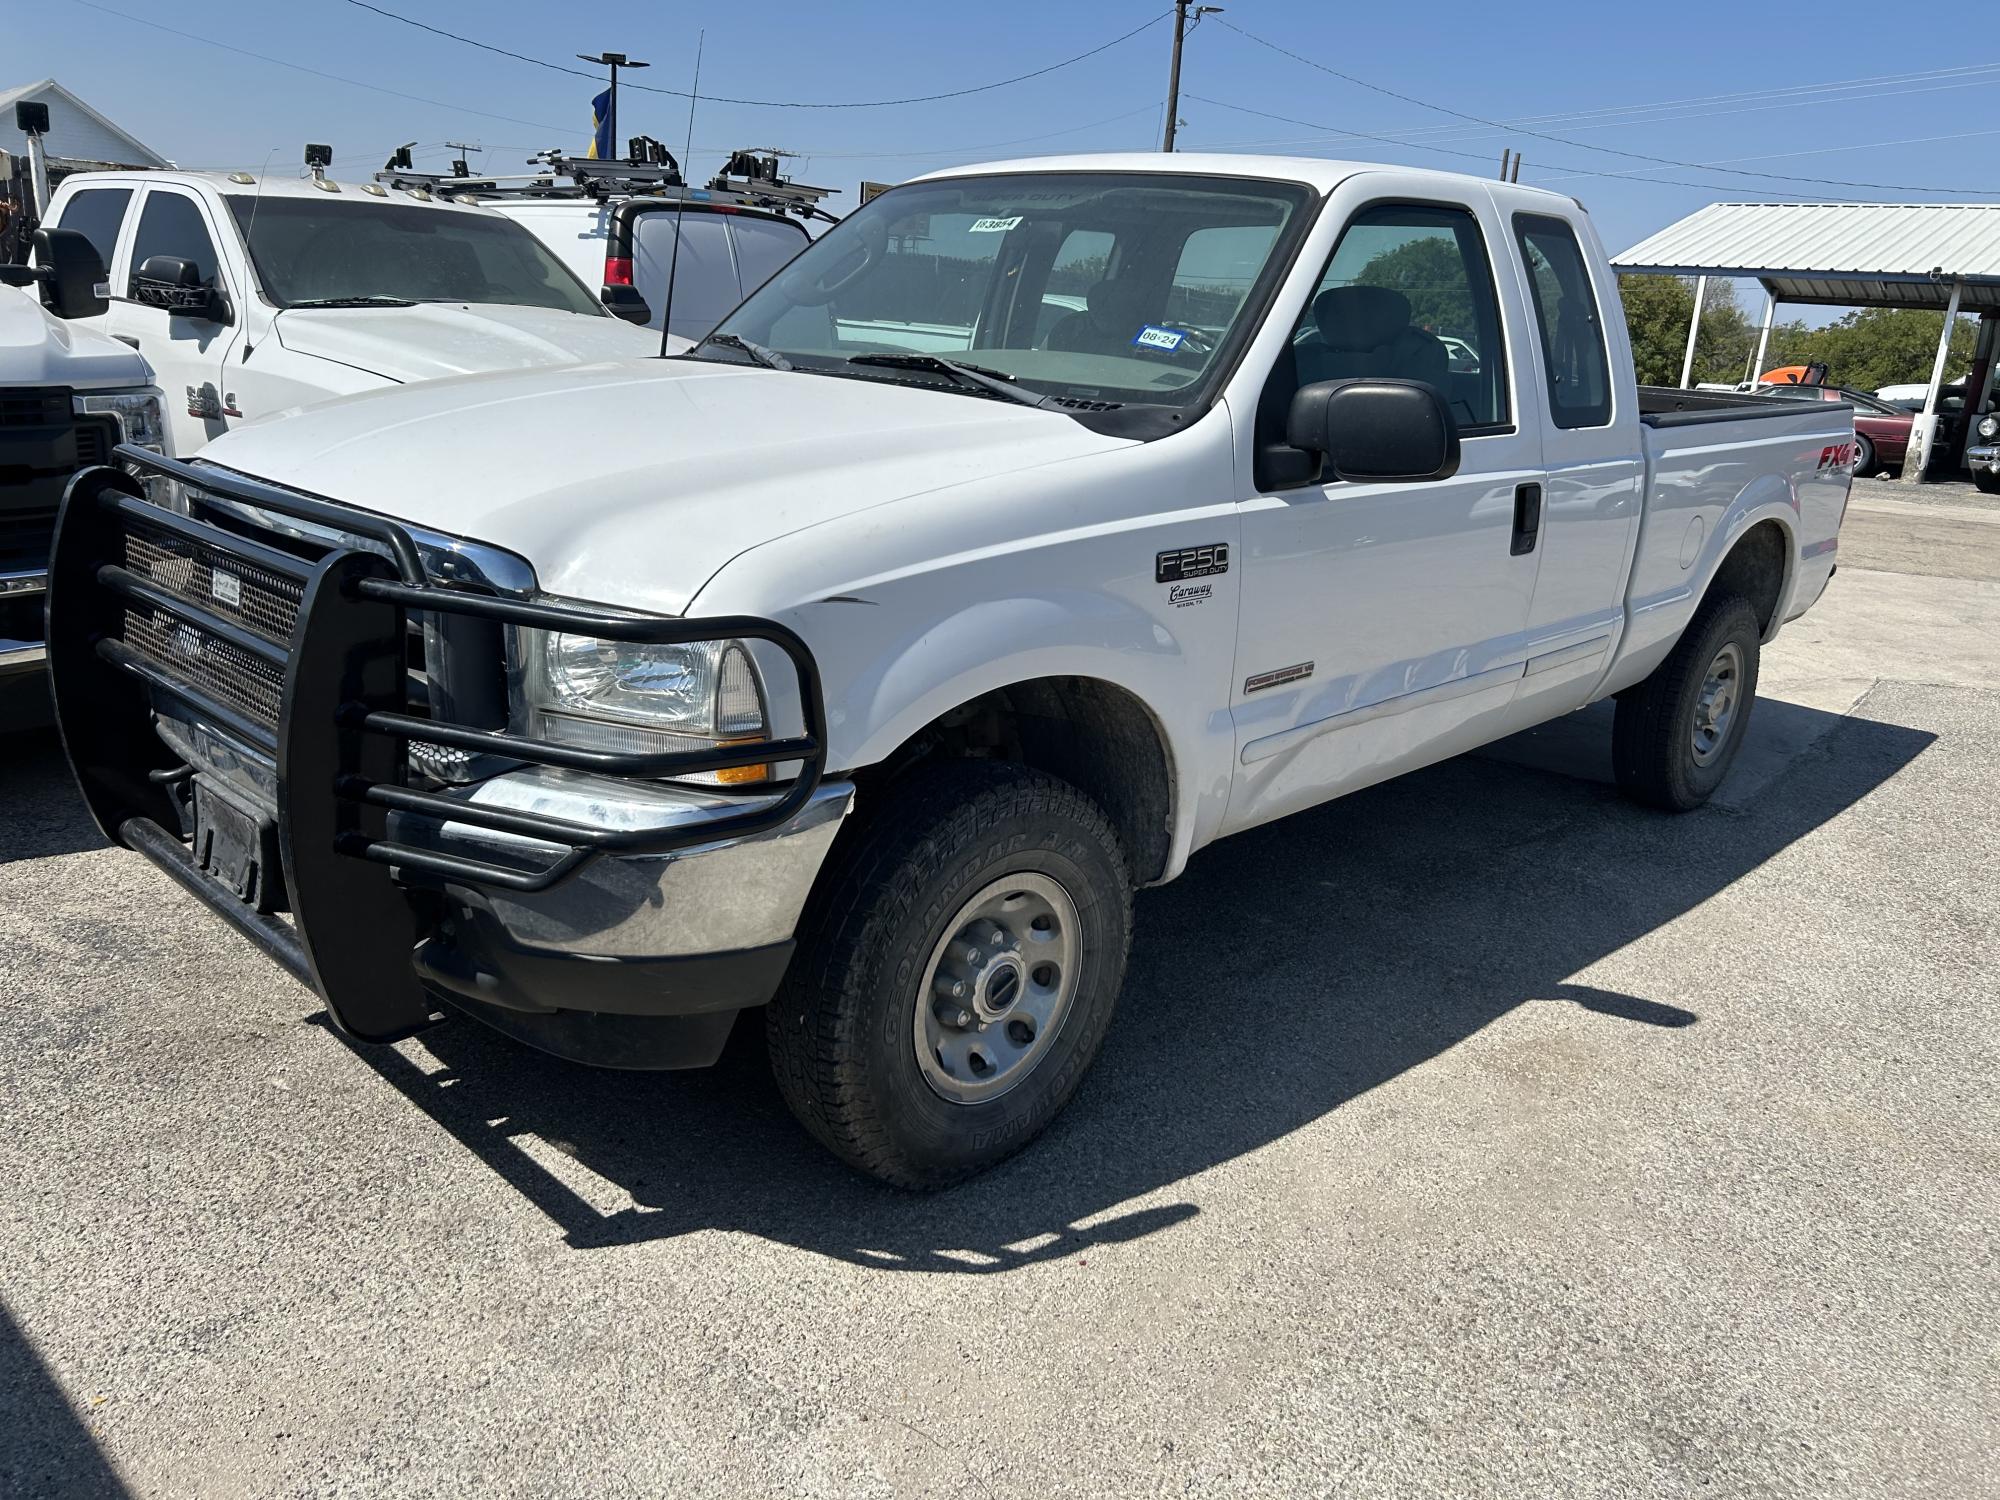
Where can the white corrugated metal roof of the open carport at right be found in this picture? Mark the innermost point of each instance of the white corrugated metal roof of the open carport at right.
(1897, 255)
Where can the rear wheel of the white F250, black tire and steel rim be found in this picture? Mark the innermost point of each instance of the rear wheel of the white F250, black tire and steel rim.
(1679, 731)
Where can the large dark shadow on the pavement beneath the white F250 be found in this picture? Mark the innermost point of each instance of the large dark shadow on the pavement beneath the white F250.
(1291, 971)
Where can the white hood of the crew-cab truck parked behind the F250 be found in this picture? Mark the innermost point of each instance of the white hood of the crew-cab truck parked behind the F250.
(445, 339)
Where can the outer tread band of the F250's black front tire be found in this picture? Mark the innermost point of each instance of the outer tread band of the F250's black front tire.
(867, 891)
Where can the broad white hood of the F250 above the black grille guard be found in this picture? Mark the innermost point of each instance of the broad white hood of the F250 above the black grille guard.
(633, 483)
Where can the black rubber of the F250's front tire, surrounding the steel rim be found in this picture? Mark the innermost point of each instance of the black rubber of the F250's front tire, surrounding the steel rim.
(843, 1027)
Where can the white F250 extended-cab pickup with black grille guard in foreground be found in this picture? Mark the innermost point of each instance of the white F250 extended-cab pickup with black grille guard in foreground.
(883, 721)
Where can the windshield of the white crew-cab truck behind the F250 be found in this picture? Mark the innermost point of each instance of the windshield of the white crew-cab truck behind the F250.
(355, 251)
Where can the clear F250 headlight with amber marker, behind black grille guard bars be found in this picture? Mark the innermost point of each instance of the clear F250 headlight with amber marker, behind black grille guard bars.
(615, 695)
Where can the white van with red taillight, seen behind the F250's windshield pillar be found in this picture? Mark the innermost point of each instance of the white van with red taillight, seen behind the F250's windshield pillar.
(627, 249)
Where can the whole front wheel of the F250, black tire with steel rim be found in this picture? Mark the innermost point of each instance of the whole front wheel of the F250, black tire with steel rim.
(955, 975)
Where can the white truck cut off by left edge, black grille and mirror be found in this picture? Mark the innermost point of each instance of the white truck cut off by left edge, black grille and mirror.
(67, 399)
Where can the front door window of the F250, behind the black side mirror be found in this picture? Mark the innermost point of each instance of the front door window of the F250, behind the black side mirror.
(1409, 295)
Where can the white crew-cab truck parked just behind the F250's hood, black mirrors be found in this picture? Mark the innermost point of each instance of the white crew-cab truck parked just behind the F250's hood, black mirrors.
(253, 299)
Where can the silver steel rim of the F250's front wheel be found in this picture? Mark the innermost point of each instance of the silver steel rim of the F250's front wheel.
(997, 989)
